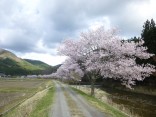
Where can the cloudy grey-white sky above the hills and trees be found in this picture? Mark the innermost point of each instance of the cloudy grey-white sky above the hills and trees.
(34, 28)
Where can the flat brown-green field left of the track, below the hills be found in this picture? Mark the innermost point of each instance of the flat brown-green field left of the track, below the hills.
(14, 91)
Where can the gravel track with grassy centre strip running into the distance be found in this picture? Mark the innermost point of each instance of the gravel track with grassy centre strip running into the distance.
(63, 107)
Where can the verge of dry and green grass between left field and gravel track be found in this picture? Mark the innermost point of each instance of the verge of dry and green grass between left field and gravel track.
(39, 101)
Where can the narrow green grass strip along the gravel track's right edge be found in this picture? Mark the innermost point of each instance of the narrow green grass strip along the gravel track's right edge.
(101, 105)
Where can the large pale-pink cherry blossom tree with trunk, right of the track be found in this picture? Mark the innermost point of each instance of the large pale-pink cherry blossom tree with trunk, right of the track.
(101, 52)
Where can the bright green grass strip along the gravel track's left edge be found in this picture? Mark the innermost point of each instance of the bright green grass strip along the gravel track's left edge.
(44, 105)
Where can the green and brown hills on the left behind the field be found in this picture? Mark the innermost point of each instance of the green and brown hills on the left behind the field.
(10, 64)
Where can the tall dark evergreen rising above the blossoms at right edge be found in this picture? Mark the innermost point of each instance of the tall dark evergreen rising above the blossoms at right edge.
(149, 35)
